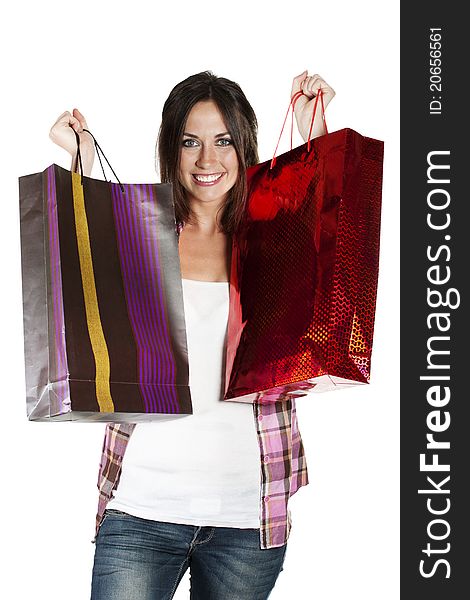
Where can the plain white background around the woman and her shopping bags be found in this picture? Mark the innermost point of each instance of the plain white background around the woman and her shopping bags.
(116, 62)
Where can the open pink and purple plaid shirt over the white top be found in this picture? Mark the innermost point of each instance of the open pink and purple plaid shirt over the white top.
(282, 462)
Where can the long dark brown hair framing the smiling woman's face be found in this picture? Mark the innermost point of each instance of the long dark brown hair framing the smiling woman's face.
(241, 123)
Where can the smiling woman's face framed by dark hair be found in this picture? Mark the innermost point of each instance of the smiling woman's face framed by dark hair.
(208, 160)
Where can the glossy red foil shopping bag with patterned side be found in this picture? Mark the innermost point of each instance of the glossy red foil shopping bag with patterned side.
(304, 269)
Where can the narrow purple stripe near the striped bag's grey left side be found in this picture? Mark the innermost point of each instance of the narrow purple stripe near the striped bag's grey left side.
(60, 376)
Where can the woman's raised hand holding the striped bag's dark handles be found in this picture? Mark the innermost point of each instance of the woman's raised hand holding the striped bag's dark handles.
(61, 134)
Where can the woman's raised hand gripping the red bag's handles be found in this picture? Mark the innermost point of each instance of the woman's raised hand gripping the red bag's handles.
(303, 109)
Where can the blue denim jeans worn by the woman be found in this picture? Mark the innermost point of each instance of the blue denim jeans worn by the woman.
(141, 559)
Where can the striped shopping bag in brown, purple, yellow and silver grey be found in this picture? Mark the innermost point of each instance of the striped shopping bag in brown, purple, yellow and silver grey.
(104, 329)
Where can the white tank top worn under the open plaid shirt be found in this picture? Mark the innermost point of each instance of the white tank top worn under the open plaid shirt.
(204, 468)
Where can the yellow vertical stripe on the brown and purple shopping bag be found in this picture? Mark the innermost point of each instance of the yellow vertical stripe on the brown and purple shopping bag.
(95, 329)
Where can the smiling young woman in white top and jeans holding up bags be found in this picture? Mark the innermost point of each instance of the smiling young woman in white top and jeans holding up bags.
(208, 491)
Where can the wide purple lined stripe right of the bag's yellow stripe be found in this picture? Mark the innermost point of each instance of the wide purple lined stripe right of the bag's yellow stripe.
(138, 255)
